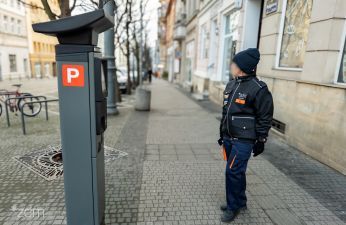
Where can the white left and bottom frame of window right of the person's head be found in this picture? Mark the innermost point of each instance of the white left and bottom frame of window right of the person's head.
(278, 47)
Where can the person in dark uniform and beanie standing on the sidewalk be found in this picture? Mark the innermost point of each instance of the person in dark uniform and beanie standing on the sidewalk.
(246, 119)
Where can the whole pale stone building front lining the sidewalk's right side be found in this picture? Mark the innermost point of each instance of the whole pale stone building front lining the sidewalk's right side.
(303, 61)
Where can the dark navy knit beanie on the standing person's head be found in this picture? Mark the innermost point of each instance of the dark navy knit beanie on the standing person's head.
(247, 60)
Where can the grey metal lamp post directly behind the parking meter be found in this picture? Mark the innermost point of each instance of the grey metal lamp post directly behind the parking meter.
(109, 47)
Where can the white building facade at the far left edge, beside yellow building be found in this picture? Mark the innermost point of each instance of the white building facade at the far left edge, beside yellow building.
(14, 50)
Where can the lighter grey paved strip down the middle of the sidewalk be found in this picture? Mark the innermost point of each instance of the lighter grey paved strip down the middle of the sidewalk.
(183, 174)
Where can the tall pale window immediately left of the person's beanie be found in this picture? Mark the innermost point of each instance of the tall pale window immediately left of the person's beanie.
(230, 38)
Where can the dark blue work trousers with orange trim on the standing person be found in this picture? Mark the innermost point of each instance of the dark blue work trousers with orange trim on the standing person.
(238, 154)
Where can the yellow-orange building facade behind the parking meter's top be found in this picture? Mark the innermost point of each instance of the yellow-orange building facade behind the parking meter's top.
(41, 47)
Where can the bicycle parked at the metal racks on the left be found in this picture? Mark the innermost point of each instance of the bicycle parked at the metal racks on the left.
(15, 105)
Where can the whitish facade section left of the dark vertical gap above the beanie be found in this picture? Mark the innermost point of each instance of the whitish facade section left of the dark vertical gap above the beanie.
(224, 28)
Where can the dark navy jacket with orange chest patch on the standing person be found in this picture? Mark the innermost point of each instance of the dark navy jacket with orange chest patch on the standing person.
(247, 109)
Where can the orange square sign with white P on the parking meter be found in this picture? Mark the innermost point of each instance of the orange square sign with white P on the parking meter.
(73, 75)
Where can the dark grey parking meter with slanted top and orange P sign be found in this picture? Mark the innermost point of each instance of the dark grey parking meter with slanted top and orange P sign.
(82, 83)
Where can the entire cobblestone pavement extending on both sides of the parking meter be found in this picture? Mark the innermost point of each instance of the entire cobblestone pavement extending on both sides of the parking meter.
(173, 173)
